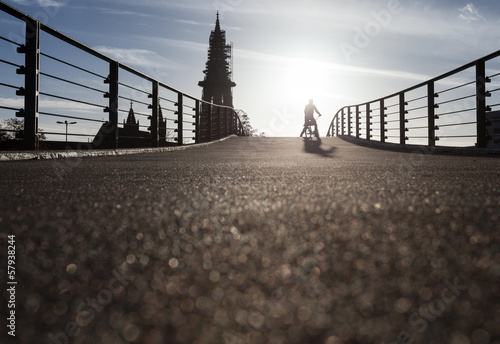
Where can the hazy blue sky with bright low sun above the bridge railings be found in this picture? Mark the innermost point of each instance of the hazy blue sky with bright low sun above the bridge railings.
(338, 52)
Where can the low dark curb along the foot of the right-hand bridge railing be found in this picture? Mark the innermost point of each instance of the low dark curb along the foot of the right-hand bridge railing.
(420, 149)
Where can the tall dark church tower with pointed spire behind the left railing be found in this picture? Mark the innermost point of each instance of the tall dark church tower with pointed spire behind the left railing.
(217, 84)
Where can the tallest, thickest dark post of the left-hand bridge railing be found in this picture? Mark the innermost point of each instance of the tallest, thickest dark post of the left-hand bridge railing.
(32, 84)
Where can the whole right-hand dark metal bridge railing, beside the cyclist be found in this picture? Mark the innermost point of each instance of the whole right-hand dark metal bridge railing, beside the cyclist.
(454, 108)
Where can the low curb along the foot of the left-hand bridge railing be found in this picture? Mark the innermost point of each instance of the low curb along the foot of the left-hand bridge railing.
(44, 155)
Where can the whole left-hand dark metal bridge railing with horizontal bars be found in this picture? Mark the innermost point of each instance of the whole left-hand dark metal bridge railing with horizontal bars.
(93, 85)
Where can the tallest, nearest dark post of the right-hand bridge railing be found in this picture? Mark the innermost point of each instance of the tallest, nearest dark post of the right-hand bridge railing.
(481, 133)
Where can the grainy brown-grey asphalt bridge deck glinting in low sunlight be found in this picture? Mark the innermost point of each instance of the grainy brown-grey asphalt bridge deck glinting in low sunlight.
(253, 240)
